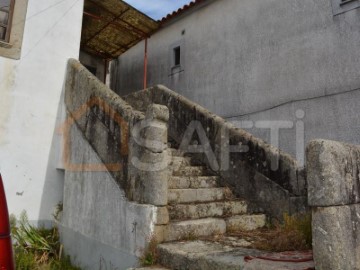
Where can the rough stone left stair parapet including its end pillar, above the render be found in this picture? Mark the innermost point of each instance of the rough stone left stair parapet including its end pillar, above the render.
(107, 122)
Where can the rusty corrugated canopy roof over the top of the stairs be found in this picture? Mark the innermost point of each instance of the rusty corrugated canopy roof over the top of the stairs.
(111, 27)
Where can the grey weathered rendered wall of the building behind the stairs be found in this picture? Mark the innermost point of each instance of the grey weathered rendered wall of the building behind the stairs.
(261, 60)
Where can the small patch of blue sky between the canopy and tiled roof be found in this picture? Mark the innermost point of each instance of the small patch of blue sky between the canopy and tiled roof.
(157, 9)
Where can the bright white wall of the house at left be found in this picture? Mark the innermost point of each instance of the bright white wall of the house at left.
(30, 91)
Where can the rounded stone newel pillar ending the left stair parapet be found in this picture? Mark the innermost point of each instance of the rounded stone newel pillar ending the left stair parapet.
(149, 158)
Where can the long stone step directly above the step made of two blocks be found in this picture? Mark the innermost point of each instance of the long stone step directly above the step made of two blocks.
(204, 210)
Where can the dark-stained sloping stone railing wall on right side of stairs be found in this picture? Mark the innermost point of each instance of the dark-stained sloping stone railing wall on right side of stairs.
(250, 174)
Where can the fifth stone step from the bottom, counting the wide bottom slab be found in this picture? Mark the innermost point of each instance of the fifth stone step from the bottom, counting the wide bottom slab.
(181, 182)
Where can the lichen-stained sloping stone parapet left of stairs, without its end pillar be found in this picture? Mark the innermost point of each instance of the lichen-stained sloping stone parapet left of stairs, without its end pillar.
(103, 117)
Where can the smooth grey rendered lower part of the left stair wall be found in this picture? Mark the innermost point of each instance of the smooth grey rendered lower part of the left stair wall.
(100, 226)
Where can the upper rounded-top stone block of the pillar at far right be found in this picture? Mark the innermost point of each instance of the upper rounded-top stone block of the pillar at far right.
(333, 173)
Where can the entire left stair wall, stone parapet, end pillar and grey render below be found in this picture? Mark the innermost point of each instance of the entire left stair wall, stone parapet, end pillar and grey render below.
(113, 206)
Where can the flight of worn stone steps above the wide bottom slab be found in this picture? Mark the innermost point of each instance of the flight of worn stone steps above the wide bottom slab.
(199, 206)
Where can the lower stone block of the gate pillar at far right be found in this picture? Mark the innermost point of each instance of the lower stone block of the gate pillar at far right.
(336, 237)
